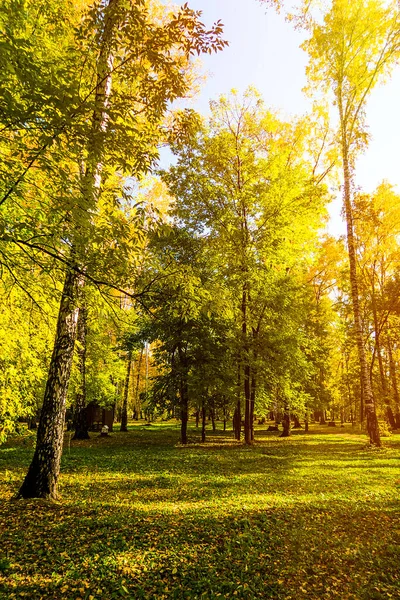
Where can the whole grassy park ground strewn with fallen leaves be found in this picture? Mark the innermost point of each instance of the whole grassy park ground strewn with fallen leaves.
(313, 516)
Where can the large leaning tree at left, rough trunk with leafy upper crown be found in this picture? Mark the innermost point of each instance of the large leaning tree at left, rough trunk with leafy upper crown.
(140, 63)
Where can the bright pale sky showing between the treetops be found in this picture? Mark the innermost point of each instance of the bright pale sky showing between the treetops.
(264, 52)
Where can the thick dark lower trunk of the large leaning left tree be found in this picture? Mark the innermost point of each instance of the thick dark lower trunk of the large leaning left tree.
(42, 477)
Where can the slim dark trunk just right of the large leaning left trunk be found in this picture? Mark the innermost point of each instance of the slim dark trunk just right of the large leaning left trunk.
(80, 418)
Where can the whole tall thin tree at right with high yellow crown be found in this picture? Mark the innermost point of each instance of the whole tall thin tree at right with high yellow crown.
(351, 51)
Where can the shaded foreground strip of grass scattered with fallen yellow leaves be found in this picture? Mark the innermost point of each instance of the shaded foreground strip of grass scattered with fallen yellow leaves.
(66, 551)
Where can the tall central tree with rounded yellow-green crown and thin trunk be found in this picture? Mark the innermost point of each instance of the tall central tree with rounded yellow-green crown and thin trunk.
(243, 186)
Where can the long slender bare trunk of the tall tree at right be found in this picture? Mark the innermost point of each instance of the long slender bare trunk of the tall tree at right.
(369, 402)
